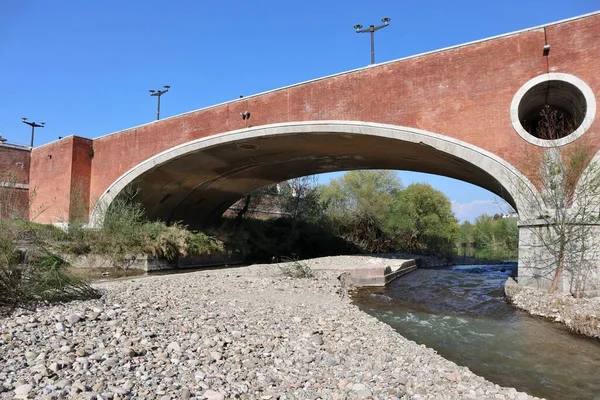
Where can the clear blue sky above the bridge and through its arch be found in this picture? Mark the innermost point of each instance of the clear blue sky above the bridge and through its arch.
(85, 67)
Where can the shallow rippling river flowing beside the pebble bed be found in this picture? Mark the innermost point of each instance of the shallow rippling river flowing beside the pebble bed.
(462, 313)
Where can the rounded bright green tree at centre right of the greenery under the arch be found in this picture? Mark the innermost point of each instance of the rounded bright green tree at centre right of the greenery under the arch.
(421, 219)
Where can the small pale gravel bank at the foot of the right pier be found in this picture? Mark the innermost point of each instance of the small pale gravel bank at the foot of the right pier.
(579, 315)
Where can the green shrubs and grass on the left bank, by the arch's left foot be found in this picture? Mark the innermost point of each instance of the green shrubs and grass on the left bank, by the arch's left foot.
(33, 257)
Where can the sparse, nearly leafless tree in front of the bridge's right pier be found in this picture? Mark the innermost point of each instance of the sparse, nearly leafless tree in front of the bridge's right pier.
(562, 244)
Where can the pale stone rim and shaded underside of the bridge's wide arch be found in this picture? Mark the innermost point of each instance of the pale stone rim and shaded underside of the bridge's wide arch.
(197, 181)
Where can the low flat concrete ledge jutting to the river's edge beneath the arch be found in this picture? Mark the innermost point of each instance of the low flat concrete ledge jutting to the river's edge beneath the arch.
(367, 271)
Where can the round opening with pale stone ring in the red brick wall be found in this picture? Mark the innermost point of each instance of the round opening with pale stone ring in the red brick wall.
(553, 109)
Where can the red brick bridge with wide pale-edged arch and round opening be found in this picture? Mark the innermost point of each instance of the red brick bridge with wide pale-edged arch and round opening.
(468, 112)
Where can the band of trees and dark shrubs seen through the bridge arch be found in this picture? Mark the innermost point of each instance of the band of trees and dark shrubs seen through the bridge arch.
(361, 212)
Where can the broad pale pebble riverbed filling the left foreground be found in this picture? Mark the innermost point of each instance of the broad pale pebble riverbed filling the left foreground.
(249, 333)
